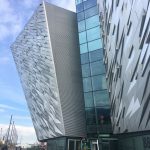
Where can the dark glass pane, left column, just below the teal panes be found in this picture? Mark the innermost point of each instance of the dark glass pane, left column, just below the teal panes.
(90, 116)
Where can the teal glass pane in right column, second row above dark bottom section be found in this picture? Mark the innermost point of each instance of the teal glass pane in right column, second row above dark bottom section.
(99, 82)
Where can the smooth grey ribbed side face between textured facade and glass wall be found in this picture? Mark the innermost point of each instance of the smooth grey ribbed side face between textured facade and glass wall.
(64, 39)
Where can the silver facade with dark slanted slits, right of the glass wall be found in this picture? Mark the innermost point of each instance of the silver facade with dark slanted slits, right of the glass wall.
(126, 35)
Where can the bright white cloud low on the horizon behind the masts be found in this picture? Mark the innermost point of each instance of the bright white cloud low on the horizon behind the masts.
(26, 135)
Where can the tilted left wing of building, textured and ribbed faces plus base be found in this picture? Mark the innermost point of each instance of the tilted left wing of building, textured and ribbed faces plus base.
(47, 57)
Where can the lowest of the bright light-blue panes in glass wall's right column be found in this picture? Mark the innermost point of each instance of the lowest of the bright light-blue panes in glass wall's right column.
(97, 44)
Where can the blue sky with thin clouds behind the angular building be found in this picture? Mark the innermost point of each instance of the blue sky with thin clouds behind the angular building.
(14, 15)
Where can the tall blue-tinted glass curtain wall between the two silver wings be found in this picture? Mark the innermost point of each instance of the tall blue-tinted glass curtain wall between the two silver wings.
(96, 98)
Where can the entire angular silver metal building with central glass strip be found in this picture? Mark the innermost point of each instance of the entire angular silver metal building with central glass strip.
(86, 75)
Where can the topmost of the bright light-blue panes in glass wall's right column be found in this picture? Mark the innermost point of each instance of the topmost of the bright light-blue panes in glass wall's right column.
(92, 22)
